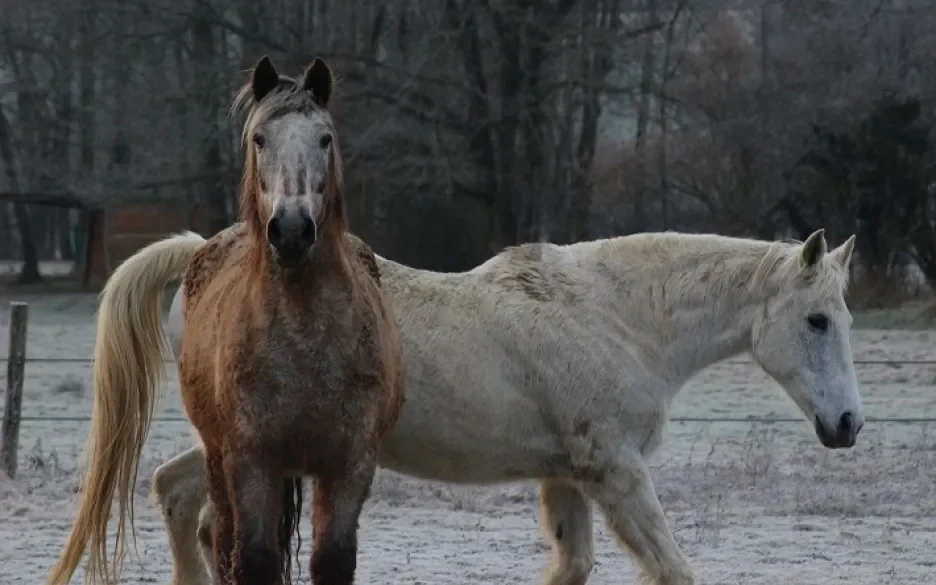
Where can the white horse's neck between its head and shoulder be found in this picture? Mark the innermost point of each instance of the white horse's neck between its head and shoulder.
(686, 301)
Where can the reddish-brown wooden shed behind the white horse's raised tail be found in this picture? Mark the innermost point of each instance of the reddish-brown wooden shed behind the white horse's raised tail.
(119, 233)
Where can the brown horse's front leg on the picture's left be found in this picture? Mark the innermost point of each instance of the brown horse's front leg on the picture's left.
(254, 491)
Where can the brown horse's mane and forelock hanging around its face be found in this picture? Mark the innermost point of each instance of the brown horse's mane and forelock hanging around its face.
(287, 97)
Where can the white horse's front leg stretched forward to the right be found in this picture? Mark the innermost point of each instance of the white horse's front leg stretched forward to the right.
(633, 511)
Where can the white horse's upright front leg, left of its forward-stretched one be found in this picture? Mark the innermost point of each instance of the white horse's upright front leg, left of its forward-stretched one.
(566, 523)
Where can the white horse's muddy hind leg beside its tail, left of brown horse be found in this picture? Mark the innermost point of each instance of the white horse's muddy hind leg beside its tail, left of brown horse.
(179, 489)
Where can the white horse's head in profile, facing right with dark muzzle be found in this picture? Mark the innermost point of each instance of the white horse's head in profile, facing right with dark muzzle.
(801, 338)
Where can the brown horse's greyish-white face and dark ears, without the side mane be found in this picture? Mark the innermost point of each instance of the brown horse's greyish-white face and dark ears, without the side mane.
(294, 159)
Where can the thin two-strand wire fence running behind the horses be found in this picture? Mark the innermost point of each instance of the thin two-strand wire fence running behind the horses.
(685, 419)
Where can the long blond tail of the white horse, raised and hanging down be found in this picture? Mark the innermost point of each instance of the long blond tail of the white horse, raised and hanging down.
(128, 369)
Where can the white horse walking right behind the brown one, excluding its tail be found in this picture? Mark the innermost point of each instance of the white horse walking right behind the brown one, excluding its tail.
(559, 363)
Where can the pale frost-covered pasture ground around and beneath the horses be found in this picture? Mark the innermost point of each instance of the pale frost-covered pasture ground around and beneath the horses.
(750, 503)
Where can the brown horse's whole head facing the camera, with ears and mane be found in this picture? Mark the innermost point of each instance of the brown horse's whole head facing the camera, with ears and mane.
(293, 170)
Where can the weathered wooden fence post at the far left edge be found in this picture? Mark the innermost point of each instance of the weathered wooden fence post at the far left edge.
(16, 365)
